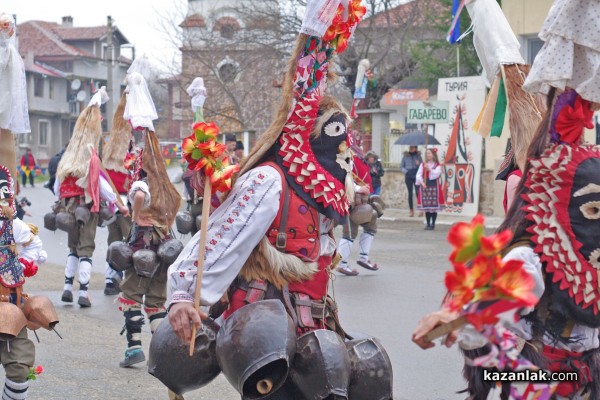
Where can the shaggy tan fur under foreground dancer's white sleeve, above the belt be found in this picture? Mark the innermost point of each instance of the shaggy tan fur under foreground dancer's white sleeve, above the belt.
(268, 263)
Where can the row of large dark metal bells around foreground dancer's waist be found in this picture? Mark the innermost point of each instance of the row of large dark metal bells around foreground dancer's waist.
(259, 353)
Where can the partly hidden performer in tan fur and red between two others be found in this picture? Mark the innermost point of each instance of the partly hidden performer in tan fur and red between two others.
(117, 162)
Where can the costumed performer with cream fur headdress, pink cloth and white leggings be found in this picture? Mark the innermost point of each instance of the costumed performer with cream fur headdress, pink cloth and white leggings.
(81, 186)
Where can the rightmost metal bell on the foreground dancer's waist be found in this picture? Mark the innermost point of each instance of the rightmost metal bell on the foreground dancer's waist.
(371, 377)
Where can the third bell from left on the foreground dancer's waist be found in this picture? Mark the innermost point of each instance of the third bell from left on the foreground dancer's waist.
(321, 367)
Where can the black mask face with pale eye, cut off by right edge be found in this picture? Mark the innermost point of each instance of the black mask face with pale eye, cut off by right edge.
(584, 209)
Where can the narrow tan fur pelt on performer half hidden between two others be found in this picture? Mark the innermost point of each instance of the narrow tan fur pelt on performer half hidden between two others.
(117, 146)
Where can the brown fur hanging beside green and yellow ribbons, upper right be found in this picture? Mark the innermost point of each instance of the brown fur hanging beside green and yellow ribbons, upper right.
(525, 110)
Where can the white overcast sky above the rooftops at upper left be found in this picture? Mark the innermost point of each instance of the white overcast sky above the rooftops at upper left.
(141, 21)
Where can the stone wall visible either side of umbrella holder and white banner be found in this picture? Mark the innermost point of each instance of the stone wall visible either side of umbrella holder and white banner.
(394, 191)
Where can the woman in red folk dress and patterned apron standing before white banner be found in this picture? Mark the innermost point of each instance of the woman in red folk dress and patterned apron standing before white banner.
(430, 198)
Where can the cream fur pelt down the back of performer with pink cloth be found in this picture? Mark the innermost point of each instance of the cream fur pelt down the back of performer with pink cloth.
(76, 159)
